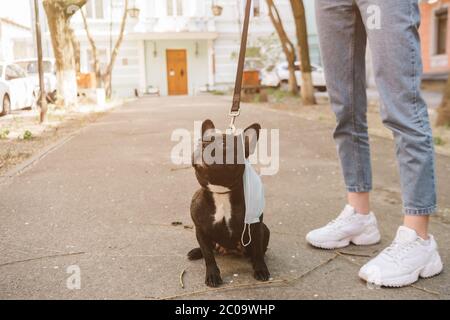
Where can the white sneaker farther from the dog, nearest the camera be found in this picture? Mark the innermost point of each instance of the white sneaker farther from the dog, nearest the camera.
(404, 261)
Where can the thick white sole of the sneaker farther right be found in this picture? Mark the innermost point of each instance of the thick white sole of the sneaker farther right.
(432, 269)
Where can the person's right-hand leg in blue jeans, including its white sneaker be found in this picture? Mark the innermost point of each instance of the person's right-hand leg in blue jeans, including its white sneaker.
(397, 62)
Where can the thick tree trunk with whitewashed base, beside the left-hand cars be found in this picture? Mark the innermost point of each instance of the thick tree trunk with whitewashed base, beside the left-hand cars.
(58, 14)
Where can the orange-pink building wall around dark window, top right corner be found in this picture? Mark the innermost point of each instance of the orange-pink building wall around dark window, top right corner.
(433, 64)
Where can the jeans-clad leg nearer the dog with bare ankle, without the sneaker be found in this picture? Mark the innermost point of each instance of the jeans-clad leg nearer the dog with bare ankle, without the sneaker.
(343, 48)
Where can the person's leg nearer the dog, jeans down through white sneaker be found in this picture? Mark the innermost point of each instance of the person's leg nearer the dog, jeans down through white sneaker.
(343, 46)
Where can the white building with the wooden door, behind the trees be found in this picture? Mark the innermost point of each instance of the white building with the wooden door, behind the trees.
(178, 46)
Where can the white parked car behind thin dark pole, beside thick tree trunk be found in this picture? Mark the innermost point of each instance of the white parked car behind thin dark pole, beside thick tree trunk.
(31, 67)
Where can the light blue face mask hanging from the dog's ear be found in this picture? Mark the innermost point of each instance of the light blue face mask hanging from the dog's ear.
(254, 197)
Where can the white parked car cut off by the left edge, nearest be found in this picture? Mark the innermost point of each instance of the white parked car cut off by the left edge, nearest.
(16, 88)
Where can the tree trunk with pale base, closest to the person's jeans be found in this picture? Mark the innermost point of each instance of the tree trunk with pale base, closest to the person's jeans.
(307, 87)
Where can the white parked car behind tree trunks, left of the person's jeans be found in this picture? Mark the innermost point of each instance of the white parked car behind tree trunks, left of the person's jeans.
(279, 77)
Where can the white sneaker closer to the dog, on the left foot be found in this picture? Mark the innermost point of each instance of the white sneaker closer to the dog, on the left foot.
(348, 227)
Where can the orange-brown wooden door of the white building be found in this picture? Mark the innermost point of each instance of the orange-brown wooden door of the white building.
(177, 72)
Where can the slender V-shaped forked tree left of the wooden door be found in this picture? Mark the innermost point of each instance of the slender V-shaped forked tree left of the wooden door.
(105, 79)
